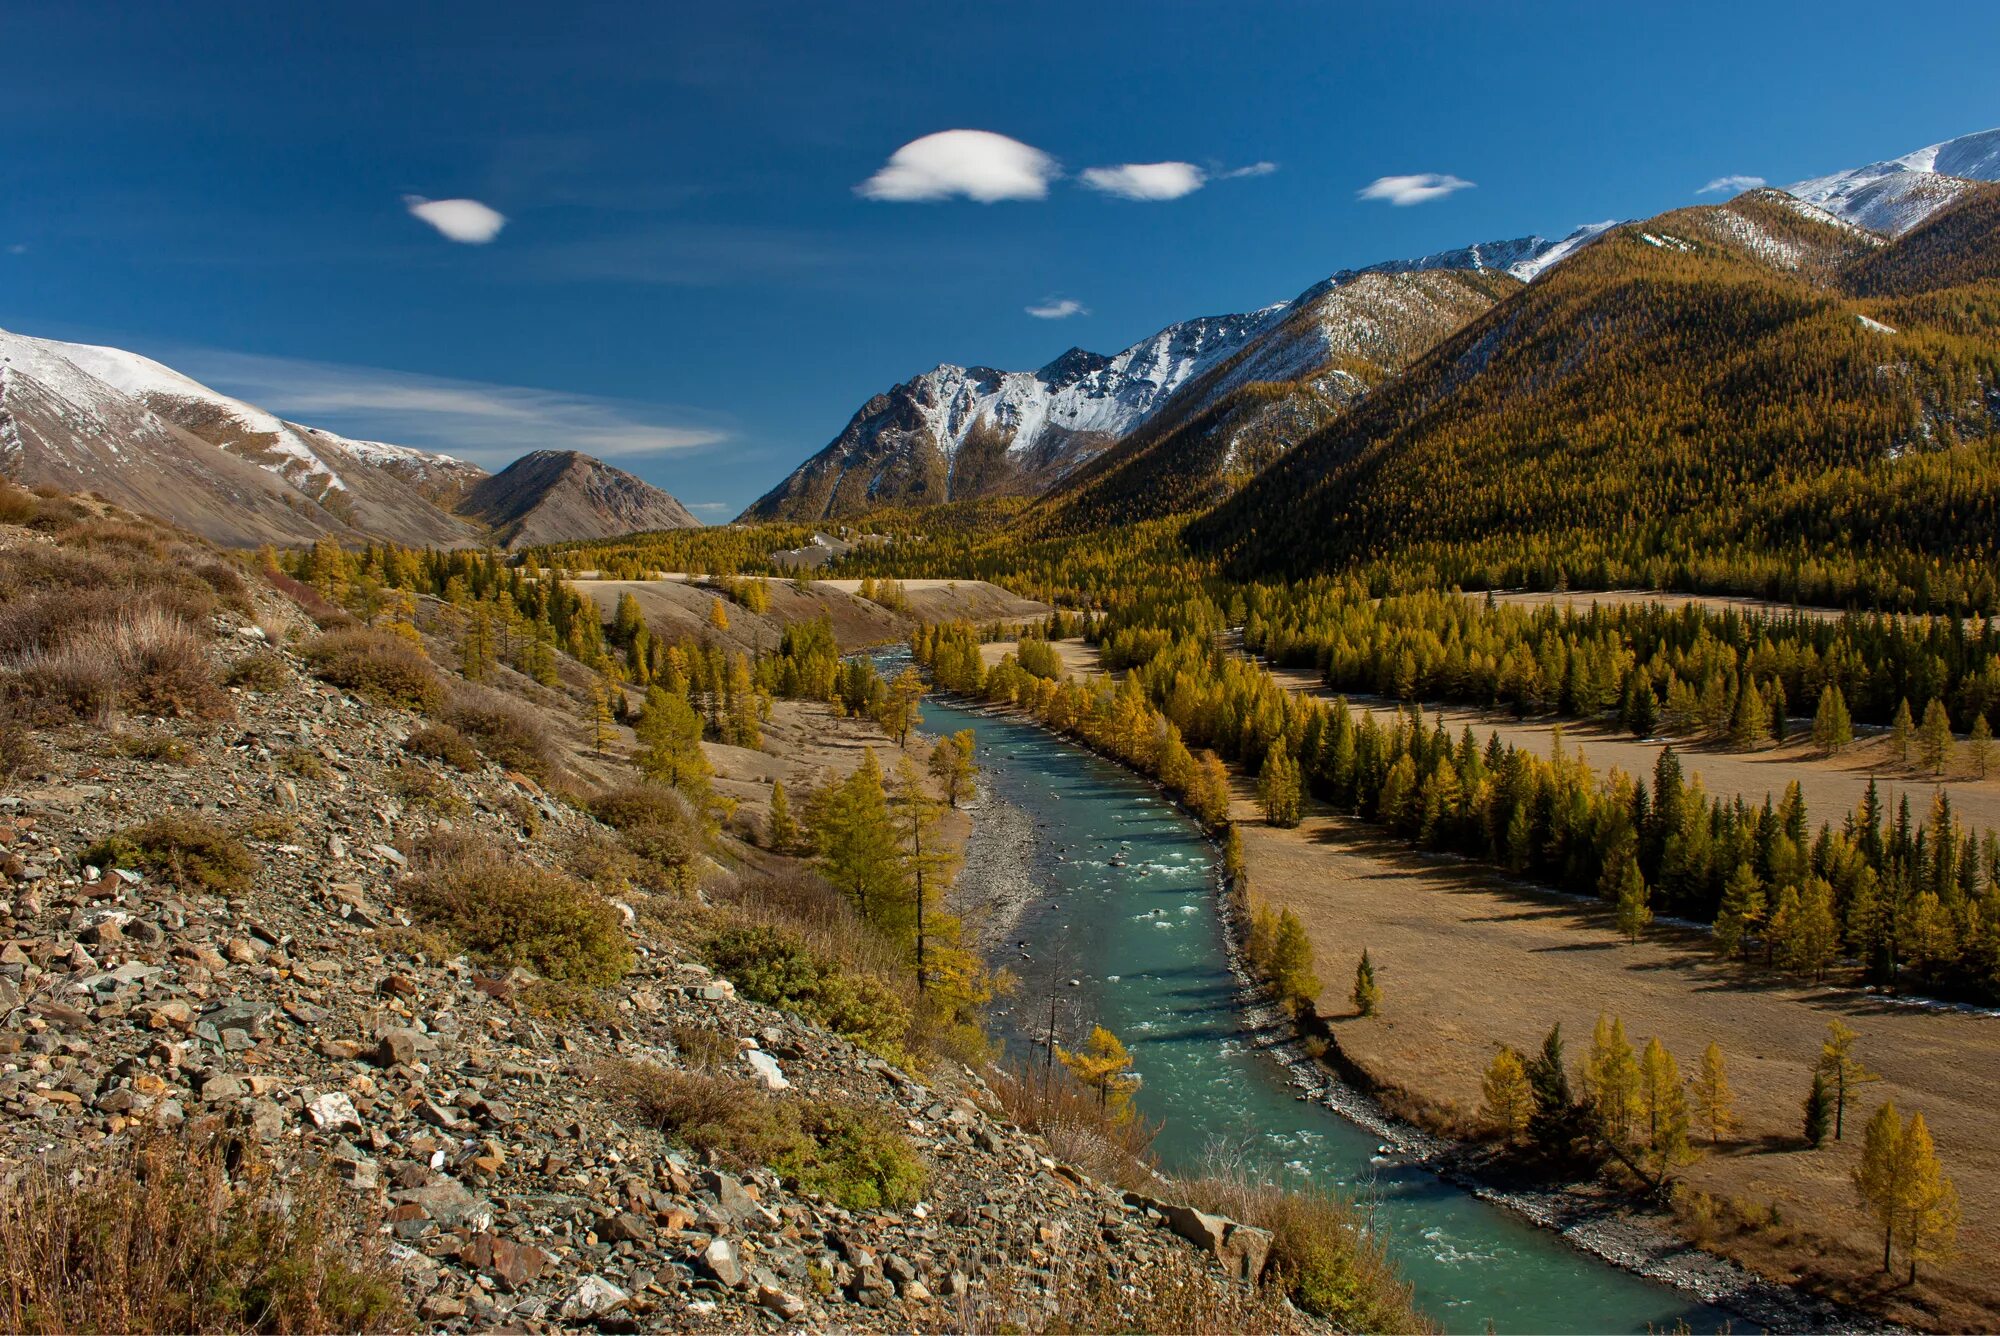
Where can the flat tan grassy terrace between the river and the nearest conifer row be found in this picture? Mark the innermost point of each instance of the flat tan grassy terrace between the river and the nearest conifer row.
(1469, 961)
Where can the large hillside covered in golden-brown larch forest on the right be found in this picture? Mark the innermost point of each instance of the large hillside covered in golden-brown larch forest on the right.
(1747, 397)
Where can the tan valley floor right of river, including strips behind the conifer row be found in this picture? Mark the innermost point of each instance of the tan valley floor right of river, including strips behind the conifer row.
(1471, 961)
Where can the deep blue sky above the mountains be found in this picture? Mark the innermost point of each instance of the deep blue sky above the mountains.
(689, 279)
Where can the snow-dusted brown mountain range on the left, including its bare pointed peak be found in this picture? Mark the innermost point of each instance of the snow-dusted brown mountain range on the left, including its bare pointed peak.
(81, 417)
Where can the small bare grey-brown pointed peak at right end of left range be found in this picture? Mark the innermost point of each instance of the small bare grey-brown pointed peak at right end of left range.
(561, 495)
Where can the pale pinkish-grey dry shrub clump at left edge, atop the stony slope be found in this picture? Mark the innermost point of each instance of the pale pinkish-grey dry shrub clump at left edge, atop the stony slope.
(147, 659)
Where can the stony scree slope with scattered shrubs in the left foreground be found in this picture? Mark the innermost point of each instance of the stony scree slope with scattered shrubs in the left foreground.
(211, 931)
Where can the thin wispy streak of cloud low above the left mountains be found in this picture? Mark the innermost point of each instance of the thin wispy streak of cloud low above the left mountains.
(475, 421)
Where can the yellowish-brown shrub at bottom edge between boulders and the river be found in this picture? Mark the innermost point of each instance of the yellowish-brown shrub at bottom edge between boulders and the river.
(1321, 1257)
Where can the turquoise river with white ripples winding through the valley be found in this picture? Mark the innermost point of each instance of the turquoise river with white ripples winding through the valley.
(1125, 905)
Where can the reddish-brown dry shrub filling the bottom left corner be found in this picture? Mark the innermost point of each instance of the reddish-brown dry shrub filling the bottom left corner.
(189, 1237)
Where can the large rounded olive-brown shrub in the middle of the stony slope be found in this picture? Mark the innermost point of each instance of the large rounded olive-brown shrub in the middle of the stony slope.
(519, 915)
